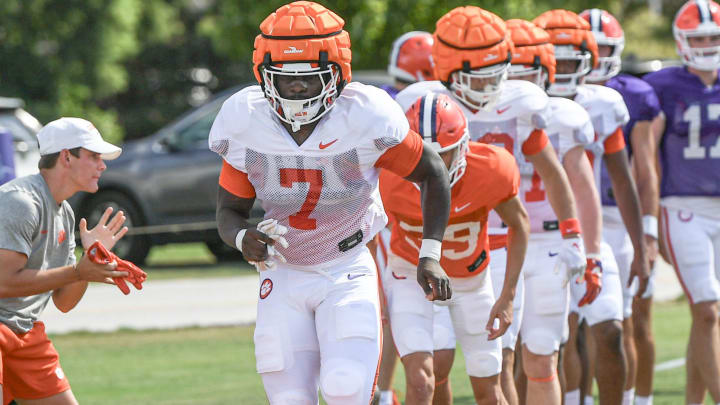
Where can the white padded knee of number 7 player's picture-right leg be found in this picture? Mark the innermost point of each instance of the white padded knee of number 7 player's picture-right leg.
(343, 380)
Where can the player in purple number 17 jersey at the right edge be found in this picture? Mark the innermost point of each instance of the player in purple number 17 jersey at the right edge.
(690, 186)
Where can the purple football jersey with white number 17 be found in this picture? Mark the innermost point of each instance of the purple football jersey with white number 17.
(690, 145)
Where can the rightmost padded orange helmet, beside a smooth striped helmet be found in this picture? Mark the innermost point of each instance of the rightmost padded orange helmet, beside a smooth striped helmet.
(573, 41)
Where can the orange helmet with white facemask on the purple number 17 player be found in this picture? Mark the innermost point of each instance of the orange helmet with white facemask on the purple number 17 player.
(698, 18)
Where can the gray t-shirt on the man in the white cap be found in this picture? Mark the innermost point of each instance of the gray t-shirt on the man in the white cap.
(32, 223)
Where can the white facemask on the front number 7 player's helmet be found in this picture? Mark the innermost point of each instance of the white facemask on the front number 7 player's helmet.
(298, 112)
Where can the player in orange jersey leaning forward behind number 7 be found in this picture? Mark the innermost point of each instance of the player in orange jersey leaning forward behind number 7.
(482, 178)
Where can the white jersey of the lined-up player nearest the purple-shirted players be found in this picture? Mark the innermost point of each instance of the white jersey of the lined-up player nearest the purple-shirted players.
(608, 112)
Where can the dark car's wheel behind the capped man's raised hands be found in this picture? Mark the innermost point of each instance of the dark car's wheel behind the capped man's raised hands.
(134, 248)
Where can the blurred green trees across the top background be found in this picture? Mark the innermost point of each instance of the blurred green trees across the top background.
(131, 66)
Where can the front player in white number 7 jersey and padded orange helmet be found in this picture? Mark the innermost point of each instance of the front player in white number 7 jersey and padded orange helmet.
(310, 144)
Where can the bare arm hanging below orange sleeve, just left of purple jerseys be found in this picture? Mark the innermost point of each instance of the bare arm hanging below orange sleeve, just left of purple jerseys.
(627, 198)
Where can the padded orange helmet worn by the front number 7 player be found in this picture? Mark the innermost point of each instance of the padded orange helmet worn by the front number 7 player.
(302, 39)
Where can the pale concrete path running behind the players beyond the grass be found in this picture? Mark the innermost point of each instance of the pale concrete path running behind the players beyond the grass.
(169, 304)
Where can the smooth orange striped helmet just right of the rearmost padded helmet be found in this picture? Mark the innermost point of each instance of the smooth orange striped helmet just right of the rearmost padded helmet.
(607, 32)
